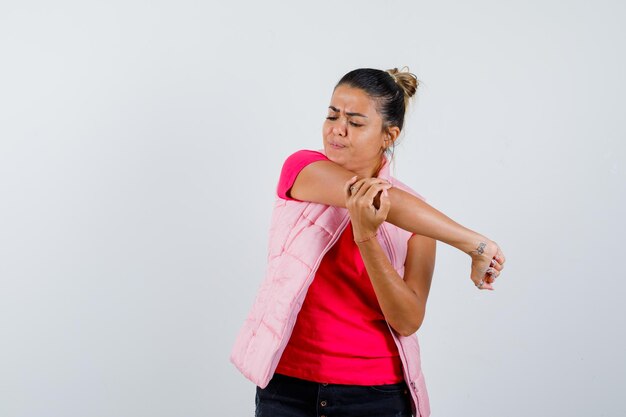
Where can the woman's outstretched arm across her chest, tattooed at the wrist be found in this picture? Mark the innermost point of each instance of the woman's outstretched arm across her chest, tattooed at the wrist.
(324, 182)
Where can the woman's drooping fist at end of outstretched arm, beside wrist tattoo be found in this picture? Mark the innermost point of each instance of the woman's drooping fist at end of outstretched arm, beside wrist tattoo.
(487, 262)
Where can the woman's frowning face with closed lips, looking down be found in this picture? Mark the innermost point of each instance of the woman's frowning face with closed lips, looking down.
(353, 131)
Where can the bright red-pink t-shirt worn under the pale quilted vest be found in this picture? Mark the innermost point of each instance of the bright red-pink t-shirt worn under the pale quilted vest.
(340, 335)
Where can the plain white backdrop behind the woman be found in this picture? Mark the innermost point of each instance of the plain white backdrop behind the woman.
(141, 141)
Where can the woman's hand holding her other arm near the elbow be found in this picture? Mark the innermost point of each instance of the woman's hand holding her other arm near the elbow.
(368, 204)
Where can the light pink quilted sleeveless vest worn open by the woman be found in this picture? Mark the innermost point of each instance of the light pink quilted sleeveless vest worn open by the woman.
(300, 235)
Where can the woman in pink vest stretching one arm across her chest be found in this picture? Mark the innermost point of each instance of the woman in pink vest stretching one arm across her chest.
(351, 257)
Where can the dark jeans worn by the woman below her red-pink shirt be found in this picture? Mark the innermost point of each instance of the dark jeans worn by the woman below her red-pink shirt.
(292, 397)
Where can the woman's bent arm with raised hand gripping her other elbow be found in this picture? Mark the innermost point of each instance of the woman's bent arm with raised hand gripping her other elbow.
(402, 301)
